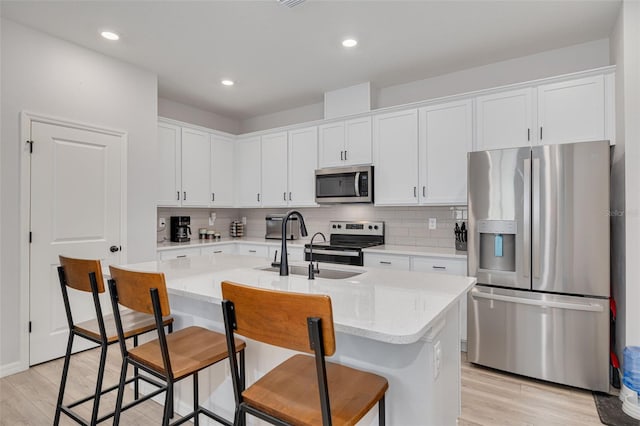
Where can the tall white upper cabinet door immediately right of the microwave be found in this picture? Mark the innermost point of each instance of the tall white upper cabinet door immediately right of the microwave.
(395, 144)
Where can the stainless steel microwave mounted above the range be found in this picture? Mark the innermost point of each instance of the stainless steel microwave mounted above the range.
(344, 185)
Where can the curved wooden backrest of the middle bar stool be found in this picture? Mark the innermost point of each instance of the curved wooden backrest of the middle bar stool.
(134, 288)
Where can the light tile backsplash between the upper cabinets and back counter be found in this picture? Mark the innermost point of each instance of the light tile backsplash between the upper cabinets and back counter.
(404, 225)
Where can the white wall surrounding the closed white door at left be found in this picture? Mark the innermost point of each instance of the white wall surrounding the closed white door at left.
(49, 76)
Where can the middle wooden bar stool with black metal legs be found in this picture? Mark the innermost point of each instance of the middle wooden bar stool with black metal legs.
(170, 357)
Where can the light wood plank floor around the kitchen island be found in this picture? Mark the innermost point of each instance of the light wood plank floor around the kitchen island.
(488, 397)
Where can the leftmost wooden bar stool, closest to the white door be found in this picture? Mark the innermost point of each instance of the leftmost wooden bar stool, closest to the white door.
(86, 276)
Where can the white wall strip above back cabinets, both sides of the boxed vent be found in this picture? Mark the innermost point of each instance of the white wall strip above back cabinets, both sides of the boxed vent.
(546, 64)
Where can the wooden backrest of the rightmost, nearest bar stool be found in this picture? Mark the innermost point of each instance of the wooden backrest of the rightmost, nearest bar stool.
(280, 318)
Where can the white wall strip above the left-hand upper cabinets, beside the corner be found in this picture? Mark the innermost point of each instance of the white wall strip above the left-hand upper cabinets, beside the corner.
(181, 112)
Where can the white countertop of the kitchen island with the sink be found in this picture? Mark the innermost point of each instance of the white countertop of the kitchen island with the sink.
(385, 305)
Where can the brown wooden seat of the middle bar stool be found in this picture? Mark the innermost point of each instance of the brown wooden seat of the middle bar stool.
(190, 349)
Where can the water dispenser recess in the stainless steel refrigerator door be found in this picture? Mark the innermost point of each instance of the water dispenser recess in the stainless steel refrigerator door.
(497, 245)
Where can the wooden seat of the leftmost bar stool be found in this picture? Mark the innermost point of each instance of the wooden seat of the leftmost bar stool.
(133, 323)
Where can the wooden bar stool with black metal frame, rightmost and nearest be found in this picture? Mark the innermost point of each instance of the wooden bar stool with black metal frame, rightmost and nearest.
(303, 390)
